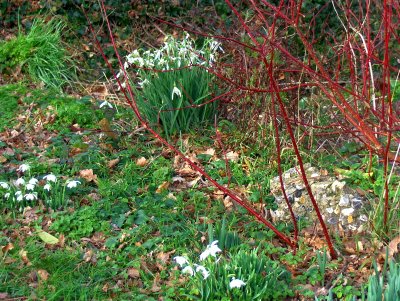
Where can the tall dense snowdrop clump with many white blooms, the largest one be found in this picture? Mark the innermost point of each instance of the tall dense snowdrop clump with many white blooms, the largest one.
(173, 87)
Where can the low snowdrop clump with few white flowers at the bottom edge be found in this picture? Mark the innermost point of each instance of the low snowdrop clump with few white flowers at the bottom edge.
(243, 275)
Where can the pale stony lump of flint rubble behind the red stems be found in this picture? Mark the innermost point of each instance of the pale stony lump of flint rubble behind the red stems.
(339, 204)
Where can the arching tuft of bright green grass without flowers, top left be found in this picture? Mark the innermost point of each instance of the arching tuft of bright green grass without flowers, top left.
(39, 53)
